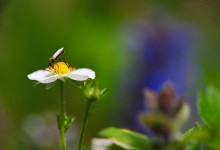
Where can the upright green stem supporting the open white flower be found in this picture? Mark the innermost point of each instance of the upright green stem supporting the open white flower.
(62, 117)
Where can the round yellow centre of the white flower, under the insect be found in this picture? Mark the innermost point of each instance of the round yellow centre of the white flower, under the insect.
(61, 68)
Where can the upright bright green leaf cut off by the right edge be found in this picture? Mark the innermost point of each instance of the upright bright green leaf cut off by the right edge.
(209, 107)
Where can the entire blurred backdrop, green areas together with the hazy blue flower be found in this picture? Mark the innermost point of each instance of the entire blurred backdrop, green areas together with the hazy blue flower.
(130, 44)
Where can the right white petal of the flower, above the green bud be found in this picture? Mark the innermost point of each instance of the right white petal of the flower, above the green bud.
(82, 74)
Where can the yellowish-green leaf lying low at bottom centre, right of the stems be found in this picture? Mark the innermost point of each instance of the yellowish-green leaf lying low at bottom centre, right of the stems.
(127, 139)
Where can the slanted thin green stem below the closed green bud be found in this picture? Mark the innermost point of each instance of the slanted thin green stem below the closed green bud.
(84, 123)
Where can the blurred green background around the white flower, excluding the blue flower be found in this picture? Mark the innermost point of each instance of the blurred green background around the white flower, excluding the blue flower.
(91, 33)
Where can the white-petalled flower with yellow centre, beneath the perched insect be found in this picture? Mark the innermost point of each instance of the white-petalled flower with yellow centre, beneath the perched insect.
(61, 70)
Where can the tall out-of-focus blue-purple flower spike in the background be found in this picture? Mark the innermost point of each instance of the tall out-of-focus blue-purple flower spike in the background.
(164, 48)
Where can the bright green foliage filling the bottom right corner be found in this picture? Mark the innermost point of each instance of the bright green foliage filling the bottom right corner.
(206, 136)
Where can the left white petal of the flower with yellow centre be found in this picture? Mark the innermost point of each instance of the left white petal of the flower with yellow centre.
(43, 76)
